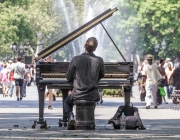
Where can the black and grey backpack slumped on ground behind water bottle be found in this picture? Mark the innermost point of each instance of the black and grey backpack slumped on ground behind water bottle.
(133, 120)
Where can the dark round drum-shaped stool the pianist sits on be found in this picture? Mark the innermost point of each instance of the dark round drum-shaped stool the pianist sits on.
(84, 115)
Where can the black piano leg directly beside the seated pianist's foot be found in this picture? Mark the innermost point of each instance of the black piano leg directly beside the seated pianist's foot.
(64, 119)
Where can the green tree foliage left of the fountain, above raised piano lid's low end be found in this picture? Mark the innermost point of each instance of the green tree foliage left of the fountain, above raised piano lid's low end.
(21, 21)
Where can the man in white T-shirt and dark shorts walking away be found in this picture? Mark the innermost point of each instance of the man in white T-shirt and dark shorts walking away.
(19, 72)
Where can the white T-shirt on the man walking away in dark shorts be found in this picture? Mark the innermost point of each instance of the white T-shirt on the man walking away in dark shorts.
(19, 69)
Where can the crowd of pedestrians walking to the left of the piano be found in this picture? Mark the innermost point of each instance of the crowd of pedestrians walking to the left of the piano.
(16, 74)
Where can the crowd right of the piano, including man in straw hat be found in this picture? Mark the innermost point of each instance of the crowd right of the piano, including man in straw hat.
(162, 73)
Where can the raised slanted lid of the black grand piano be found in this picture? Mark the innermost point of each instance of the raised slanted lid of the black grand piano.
(76, 33)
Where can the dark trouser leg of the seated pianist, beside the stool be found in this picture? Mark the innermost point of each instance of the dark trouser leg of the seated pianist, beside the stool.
(68, 105)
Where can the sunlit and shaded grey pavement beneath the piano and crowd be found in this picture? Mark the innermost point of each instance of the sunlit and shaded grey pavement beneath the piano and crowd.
(164, 122)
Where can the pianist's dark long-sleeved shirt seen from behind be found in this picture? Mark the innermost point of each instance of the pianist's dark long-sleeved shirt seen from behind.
(85, 71)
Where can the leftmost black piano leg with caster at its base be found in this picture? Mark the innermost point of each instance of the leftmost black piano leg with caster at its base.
(41, 91)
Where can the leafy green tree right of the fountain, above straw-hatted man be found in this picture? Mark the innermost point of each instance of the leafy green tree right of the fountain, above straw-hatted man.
(159, 20)
